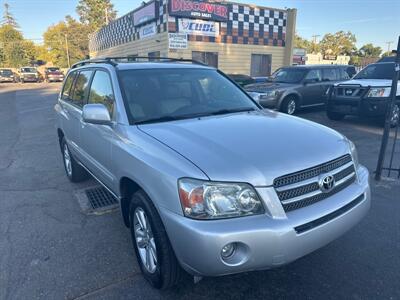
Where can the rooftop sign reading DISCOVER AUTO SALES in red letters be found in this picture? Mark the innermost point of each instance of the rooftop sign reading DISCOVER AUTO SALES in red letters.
(198, 10)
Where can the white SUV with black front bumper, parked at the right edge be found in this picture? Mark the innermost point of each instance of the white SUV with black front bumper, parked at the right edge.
(366, 95)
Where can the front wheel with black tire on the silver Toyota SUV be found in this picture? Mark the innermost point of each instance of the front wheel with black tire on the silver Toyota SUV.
(153, 250)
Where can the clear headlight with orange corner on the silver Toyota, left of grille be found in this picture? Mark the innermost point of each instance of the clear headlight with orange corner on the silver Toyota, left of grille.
(216, 200)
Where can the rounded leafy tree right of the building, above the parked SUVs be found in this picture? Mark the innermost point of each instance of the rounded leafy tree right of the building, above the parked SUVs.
(340, 43)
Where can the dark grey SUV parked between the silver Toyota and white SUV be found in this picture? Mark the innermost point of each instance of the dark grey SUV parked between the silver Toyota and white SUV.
(291, 88)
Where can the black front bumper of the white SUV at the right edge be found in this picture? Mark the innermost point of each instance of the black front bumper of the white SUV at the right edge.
(364, 107)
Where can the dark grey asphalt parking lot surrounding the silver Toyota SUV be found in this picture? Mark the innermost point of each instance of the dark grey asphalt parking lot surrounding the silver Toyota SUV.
(49, 249)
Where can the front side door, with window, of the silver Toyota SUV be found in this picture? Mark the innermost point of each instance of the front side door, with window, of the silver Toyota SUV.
(96, 139)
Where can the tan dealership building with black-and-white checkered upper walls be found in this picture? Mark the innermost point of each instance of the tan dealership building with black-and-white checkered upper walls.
(235, 37)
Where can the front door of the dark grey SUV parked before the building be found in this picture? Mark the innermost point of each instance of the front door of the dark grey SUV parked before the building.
(311, 89)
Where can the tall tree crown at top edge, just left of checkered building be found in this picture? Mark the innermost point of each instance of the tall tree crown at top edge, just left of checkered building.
(96, 13)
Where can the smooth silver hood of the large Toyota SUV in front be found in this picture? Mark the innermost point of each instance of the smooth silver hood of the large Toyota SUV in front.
(251, 147)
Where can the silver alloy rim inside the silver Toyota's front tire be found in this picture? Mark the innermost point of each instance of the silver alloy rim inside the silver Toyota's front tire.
(145, 240)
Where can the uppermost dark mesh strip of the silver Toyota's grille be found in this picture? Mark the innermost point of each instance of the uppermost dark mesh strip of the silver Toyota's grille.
(312, 172)
